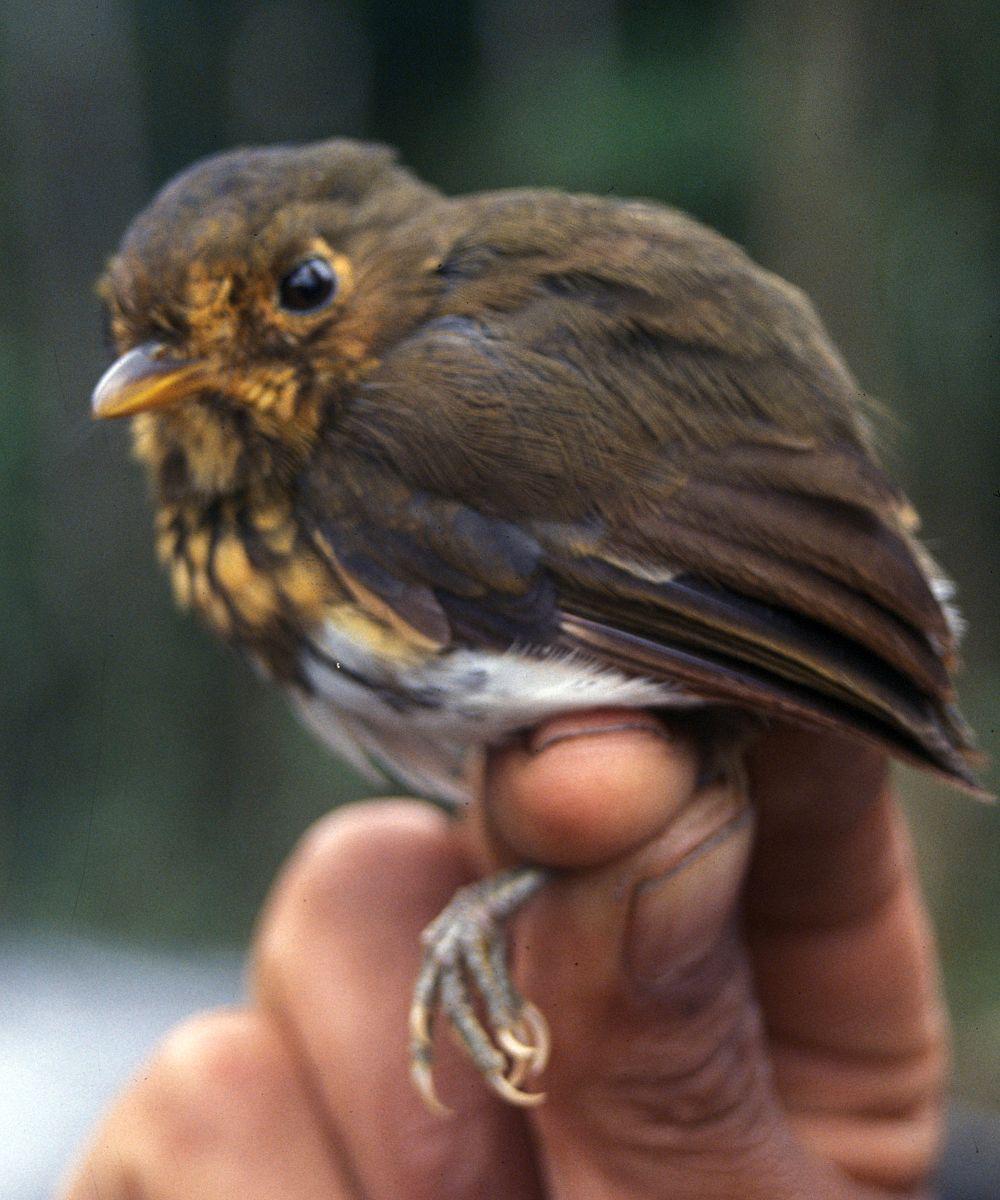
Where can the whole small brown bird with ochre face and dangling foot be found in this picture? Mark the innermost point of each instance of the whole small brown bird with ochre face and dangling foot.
(445, 467)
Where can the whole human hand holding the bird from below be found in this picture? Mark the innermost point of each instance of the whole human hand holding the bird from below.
(727, 1022)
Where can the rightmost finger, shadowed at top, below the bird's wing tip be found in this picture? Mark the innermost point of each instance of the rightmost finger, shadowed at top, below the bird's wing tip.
(845, 959)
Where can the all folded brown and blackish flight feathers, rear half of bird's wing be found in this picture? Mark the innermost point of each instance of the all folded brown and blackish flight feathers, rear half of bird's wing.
(797, 598)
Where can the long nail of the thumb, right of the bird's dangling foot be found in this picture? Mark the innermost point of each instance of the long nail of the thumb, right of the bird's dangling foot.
(679, 915)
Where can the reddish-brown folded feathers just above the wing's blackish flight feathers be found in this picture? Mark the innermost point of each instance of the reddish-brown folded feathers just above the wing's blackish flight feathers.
(831, 562)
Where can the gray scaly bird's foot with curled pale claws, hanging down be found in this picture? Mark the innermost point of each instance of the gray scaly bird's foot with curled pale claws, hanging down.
(465, 959)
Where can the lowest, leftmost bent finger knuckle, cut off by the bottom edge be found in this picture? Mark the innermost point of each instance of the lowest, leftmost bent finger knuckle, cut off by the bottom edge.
(220, 1114)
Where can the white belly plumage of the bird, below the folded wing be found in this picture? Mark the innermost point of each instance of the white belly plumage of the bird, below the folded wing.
(420, 722)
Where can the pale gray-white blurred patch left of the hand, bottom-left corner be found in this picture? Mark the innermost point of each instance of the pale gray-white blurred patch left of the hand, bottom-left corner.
(79, 1018)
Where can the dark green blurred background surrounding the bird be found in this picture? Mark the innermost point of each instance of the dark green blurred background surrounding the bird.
(151, 785)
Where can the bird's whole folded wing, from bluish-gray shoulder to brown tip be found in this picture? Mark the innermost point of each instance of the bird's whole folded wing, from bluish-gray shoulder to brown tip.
(781, 633)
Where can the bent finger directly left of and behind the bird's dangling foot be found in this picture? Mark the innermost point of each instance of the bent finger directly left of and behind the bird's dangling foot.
(337, 961)
